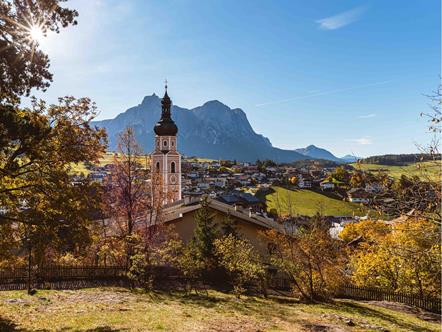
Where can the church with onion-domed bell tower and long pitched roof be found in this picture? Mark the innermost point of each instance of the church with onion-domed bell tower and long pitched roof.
(179, 212)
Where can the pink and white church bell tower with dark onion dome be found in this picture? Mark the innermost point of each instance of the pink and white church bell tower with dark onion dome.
(166, 161)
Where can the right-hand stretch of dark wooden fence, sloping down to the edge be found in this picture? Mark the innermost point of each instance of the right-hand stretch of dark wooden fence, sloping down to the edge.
(375, 294)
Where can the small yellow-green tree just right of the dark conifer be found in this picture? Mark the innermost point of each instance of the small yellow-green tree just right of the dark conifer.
(239, 259)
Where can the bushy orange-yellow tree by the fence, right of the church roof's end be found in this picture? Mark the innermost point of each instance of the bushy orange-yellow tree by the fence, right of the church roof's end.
(310, 257)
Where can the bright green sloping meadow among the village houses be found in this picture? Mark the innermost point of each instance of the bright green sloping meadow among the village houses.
(308, 203)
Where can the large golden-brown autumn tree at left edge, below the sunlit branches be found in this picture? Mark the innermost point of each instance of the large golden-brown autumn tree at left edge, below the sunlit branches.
(43, 208)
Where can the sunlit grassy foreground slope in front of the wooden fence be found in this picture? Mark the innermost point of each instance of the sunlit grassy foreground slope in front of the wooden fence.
(117, 309)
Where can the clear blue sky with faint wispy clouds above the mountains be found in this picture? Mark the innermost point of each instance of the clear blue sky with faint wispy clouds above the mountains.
(348, 76)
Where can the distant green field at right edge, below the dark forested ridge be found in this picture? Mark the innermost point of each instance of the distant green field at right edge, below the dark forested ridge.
(427, 169)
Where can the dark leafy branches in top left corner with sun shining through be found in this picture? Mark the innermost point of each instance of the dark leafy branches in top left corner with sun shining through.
(23, 65)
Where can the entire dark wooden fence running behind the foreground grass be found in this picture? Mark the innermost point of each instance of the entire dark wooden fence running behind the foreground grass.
(71, 277)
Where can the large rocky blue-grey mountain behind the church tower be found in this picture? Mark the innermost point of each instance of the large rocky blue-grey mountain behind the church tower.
(212, 130)
